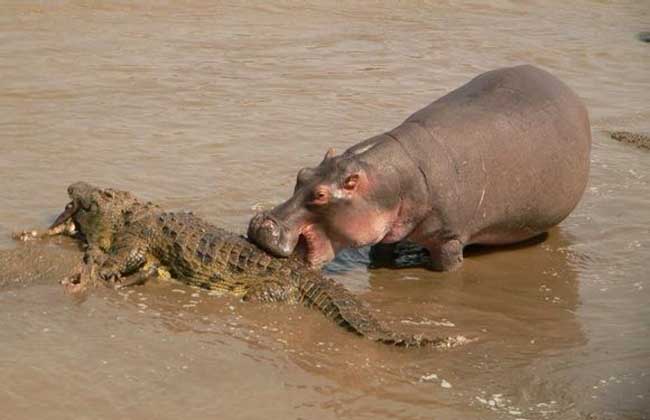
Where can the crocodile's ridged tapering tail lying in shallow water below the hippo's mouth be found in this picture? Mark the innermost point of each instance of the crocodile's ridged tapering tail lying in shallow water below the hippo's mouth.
(342, 307)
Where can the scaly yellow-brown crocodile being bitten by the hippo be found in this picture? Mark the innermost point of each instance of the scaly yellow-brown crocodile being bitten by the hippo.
(129, 241)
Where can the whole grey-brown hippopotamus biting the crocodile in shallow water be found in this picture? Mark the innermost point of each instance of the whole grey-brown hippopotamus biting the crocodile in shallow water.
(499, 160)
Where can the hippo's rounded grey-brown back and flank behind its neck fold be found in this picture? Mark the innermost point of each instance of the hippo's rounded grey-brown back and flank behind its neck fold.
(506, 155)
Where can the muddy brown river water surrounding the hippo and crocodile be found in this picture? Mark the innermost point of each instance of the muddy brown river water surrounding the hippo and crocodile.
(213, 106)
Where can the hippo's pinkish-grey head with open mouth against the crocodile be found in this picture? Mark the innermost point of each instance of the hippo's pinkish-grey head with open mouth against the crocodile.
(341, 203)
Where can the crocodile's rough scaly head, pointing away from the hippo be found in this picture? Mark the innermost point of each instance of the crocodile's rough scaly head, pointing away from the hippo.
(94, 213)
